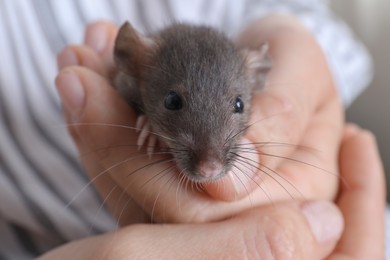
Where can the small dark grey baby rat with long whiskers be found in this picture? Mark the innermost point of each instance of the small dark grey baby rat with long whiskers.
(192, 87)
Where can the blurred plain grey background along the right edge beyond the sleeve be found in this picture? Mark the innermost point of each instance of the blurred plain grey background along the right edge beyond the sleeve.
(370, 20)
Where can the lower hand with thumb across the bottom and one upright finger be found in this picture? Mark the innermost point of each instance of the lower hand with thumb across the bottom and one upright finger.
(289, 230)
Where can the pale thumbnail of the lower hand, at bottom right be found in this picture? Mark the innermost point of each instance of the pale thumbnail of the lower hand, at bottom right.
(324, 219)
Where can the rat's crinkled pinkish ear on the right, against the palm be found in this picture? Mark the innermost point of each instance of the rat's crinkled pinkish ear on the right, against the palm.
(257, 63)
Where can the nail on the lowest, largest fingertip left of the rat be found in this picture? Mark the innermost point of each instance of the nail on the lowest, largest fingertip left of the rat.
(72, 93)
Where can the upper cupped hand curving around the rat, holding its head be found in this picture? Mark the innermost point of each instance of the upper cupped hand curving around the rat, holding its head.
(280, 106)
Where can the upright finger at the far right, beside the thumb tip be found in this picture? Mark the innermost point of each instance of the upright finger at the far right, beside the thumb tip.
(362, 197)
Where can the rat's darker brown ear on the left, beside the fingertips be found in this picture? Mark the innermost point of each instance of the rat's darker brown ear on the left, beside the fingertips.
(132, 50)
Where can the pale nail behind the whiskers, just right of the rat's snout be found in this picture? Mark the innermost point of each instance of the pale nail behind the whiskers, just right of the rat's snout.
(245, 169)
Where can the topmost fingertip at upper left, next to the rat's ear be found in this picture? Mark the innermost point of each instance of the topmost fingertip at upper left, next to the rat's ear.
(100, 36)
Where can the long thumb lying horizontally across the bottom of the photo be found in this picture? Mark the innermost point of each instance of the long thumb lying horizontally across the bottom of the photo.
(283, 232)
